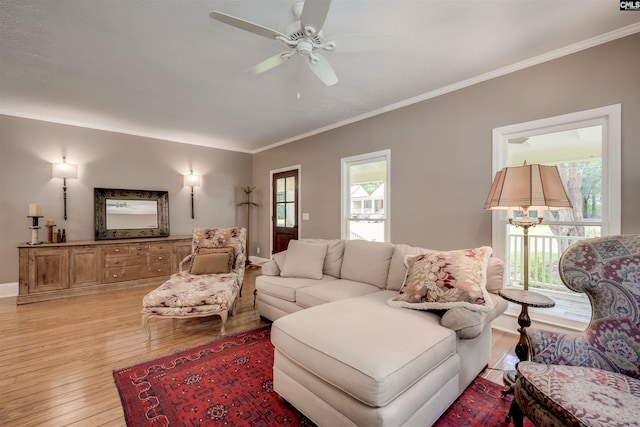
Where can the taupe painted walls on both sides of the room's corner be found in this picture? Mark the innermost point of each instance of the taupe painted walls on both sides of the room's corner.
(440, 160)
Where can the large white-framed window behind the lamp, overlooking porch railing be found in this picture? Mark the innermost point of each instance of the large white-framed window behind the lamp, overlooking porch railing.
(585, 147)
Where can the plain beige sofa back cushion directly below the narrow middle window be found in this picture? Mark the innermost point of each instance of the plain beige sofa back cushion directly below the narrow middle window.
(367, 262)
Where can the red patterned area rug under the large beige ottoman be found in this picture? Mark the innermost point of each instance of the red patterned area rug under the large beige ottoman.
(228, 382)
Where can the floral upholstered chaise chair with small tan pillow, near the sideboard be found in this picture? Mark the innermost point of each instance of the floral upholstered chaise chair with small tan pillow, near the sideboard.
(209, 281)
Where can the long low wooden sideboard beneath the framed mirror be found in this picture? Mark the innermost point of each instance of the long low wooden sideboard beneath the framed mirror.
(60, 270)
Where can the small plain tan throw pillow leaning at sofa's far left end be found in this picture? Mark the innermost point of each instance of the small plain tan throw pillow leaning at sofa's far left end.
(304, 260)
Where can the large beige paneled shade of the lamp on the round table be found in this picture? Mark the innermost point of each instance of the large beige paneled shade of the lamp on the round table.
(531, 187)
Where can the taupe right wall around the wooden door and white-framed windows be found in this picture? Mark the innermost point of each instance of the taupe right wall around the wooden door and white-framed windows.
(441, 149)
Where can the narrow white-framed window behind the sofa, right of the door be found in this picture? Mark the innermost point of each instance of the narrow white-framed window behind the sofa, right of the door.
(365, 197)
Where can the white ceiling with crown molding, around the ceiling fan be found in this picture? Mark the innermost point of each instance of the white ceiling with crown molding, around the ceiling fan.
(164, 69)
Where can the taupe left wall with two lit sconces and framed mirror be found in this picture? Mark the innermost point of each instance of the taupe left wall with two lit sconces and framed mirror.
(110, 160)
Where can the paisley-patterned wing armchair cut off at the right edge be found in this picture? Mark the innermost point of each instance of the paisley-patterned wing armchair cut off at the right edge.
(591, 378)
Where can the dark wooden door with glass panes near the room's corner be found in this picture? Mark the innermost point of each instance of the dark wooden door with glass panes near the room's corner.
(285, 209)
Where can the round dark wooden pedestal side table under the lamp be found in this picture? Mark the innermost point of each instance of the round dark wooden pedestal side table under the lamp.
(526, 299)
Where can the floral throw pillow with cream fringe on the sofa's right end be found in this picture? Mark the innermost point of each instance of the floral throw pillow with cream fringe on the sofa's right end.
(443, 280)
